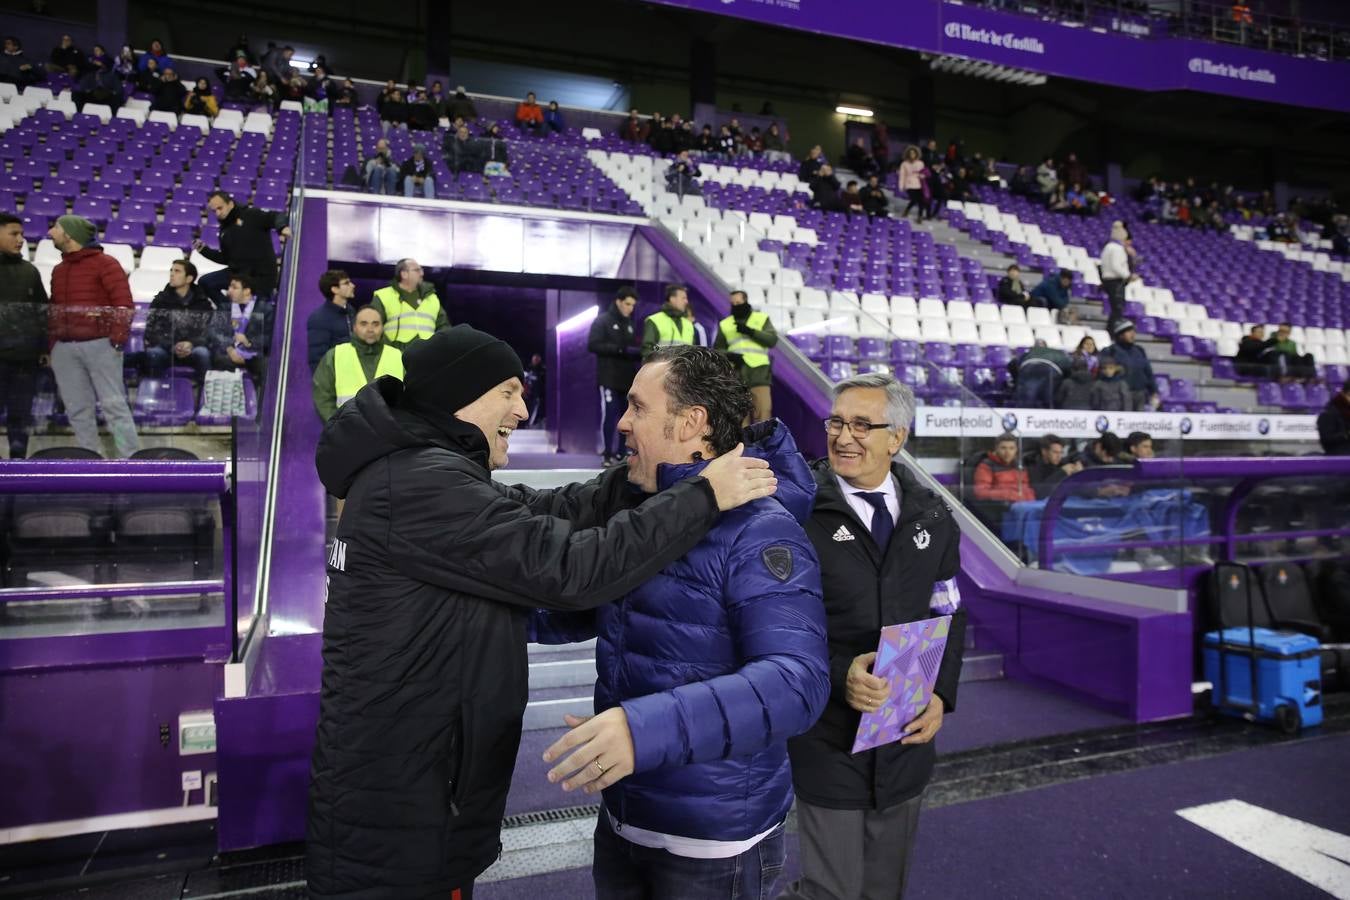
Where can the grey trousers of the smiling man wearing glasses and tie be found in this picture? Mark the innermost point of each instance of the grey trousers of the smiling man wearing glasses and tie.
(850, 855)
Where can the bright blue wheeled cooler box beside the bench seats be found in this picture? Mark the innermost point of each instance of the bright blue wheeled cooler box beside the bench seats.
(1289, 675)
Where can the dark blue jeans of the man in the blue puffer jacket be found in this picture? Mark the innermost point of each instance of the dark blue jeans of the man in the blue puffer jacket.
(624, 871)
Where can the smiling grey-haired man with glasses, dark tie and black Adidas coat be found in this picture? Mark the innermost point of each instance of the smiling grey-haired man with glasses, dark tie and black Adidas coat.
(890, 553)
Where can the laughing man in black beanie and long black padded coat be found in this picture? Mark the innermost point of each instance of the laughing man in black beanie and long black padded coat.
(431, 582)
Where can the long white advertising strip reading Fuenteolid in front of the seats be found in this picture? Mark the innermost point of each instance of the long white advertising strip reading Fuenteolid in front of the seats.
(955, 422)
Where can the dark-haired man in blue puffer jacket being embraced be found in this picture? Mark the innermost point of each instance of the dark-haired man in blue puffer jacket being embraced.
(709, 669)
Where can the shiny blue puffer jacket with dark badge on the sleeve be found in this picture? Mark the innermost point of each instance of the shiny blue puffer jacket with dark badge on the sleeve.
(718, 662)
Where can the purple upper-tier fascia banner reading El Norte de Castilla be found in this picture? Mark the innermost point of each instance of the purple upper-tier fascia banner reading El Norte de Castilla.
(1025, 43)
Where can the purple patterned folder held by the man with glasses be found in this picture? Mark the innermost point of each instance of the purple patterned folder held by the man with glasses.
(909, 656)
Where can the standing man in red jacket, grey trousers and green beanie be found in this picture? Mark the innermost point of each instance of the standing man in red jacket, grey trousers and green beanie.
(91, 320)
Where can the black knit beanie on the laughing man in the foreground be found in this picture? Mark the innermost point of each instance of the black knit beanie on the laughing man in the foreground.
(453, 369)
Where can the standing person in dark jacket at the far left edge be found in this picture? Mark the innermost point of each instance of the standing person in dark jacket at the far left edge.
(24, 334)
